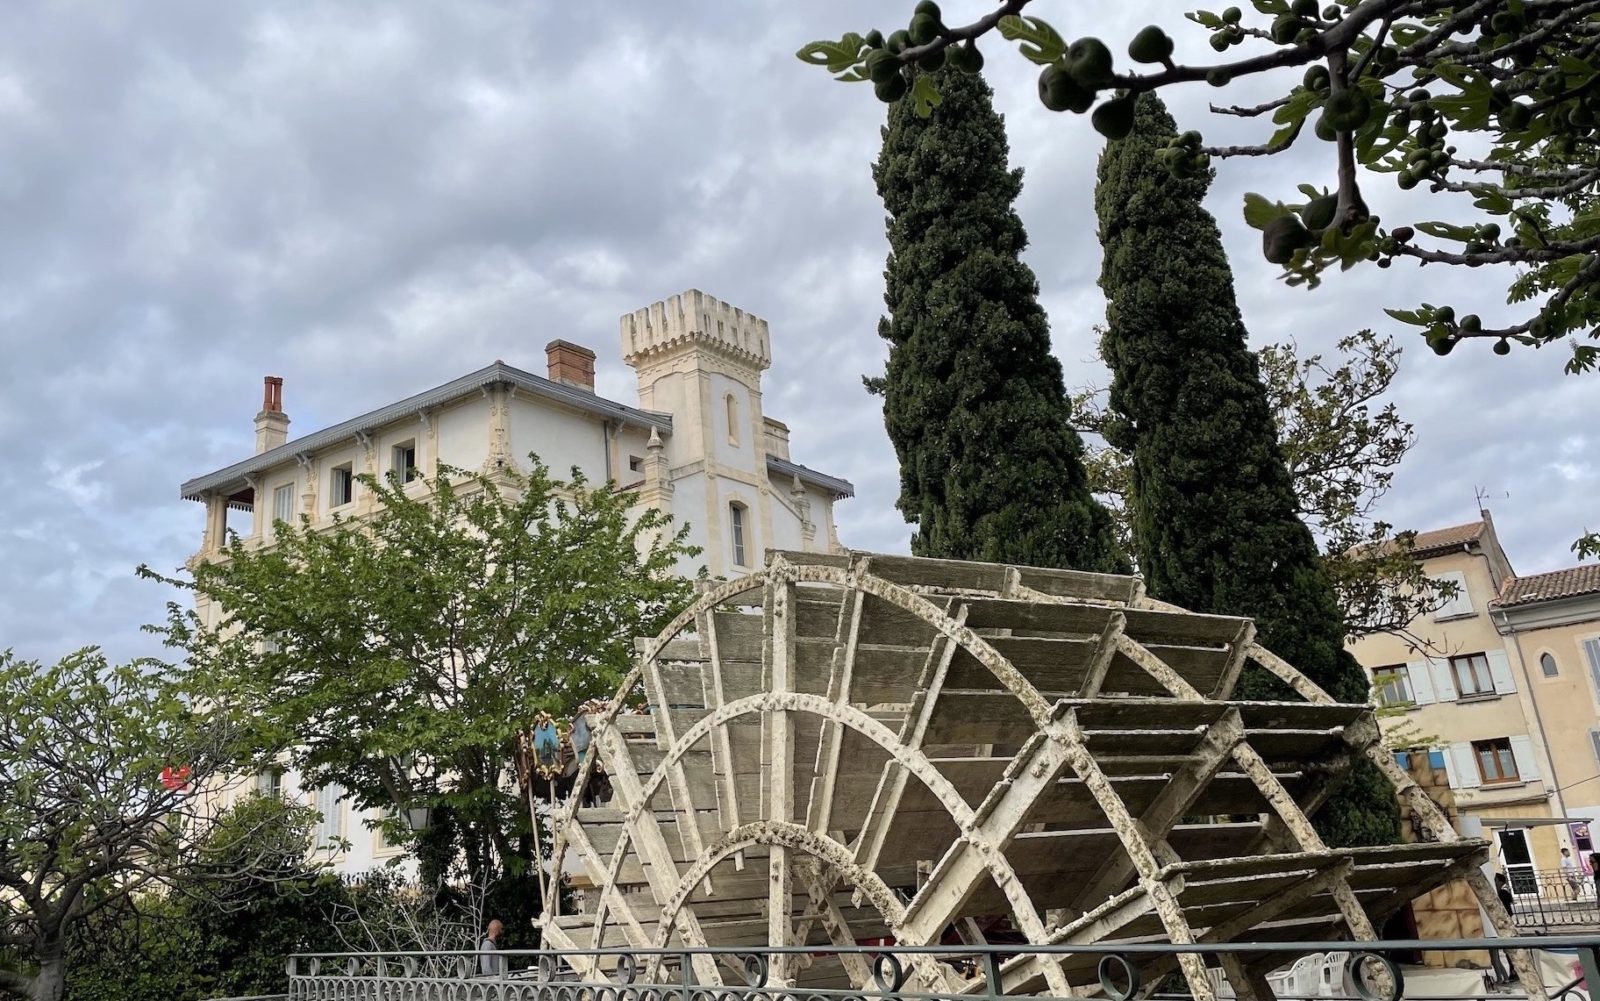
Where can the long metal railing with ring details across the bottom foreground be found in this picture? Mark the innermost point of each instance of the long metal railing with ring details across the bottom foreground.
(1364, 971)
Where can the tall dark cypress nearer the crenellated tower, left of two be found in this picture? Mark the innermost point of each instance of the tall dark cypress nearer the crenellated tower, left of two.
(975, 404)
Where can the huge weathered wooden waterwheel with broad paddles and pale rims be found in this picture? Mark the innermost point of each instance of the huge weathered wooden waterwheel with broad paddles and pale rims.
(850, 749)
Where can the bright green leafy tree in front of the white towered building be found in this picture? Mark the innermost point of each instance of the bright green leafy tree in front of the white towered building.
(404, 656)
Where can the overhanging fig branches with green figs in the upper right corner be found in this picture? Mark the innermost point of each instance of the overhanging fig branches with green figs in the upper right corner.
(1490, 105)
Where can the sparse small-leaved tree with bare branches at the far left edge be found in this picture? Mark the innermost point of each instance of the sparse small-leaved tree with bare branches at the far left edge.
(102, 770)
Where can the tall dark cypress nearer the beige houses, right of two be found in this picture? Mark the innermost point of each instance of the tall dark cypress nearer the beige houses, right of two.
(1215, 524)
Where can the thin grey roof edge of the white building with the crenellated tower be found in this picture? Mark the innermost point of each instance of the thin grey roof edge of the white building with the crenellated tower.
(233, 481)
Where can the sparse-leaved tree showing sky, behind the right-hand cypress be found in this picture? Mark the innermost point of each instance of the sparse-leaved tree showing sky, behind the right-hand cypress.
(1342, 445)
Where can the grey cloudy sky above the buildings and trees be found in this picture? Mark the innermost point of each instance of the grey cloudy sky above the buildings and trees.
(370, 199)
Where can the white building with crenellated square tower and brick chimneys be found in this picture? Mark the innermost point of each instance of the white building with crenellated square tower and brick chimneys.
(697, 447)
